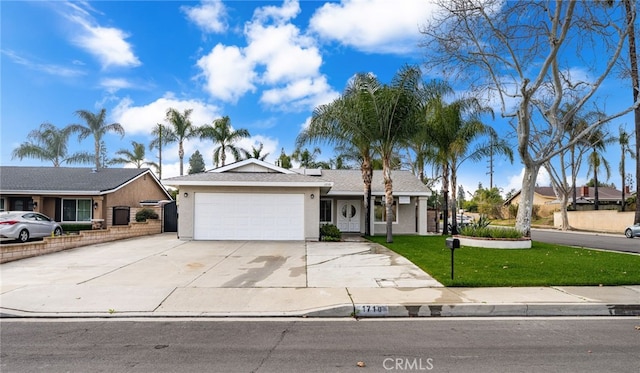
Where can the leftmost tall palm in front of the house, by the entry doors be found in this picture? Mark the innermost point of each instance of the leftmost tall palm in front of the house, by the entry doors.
(346, 122)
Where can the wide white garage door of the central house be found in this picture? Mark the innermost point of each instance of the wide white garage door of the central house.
(244, 216)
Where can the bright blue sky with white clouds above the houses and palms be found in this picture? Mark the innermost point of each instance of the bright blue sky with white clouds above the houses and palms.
(265, 64)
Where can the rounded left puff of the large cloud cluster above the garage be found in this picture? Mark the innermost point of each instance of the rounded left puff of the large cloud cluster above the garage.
(228, 73)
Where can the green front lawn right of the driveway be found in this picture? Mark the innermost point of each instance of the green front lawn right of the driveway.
(542, 265)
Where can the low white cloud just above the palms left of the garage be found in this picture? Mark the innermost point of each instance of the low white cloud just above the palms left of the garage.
(143, 119)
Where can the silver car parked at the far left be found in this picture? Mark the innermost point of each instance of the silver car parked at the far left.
(23, 225)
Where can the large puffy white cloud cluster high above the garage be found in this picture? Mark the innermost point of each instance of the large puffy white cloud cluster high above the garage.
(277, 58)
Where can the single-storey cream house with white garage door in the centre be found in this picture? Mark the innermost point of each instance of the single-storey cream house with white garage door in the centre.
(255, 200)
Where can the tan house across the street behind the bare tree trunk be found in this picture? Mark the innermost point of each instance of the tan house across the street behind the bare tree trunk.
(608, 198)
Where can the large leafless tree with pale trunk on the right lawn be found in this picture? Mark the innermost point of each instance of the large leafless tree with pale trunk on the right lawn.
(527, 65)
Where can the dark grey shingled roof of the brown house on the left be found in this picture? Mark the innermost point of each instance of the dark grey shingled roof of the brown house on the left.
(68, 180)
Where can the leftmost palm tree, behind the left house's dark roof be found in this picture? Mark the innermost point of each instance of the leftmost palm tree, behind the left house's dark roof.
(49, 143)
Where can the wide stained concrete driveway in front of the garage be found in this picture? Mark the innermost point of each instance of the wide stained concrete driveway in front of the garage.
(163, 275)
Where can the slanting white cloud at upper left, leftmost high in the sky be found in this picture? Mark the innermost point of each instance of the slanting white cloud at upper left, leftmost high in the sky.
(107, 44)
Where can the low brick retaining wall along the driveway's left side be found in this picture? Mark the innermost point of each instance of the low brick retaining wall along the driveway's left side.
(49, 245)
